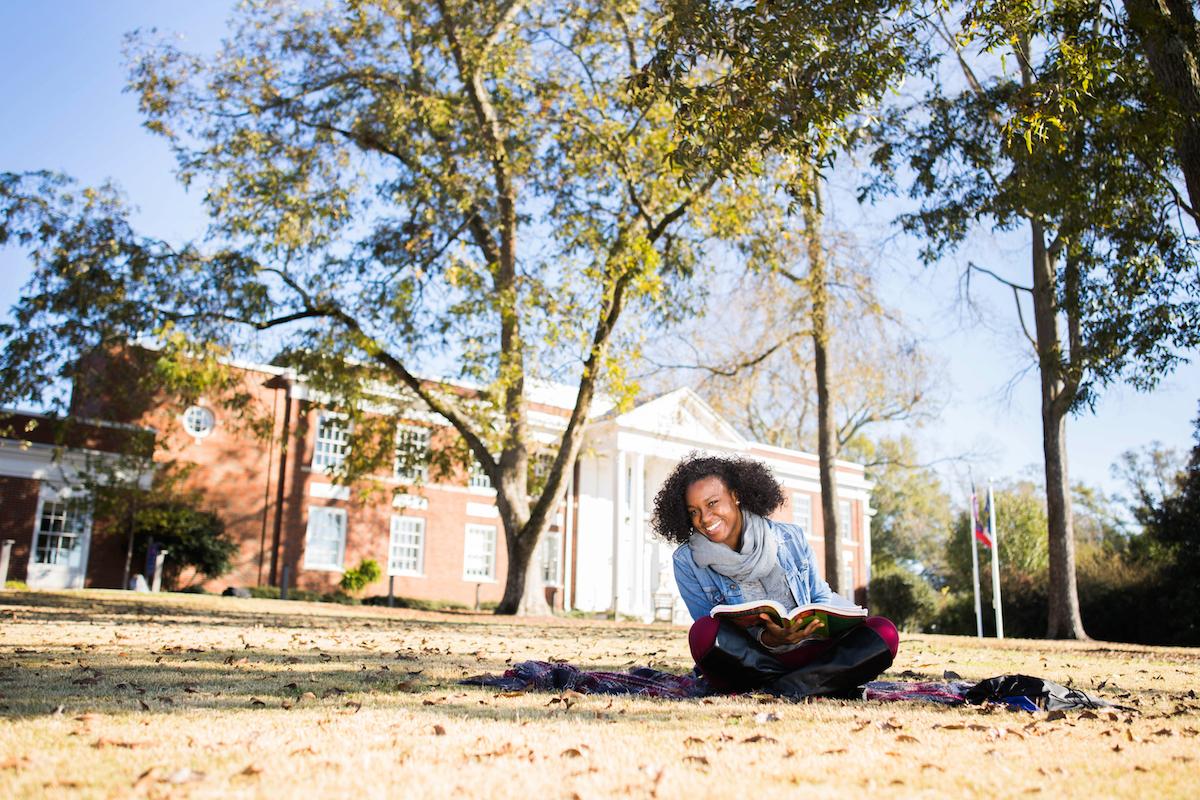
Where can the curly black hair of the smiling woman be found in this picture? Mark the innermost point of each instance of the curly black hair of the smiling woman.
(754, 484)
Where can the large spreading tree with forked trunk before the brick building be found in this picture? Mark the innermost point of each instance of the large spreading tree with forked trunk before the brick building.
(457, 188)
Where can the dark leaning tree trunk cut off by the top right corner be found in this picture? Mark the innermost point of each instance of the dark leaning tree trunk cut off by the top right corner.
(1171, 39)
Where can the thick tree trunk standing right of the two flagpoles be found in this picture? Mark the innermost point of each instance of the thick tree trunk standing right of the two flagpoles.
(1065, 622)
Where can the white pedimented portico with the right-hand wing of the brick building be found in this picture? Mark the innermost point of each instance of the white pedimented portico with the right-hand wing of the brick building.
(619, 563)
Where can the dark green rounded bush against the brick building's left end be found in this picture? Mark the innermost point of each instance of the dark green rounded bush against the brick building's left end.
(194, 539)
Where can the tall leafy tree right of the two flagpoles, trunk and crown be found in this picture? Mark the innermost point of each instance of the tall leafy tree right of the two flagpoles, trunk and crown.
(1113, 275)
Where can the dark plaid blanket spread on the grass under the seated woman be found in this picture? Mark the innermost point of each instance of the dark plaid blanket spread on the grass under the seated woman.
(544, 676)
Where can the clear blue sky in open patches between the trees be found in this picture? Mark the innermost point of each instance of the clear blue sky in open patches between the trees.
(62, 79)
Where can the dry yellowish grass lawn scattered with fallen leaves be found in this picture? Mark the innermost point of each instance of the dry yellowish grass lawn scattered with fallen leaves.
(112, 695)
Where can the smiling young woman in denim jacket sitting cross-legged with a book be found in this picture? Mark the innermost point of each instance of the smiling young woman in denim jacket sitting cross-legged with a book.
(717, 510)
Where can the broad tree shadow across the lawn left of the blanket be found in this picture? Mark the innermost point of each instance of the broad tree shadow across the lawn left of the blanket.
(220, 681)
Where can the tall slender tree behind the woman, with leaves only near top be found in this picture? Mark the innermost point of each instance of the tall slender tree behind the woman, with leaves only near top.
(791, 77)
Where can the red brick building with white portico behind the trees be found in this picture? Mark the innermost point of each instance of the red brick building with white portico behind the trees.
(436, 534)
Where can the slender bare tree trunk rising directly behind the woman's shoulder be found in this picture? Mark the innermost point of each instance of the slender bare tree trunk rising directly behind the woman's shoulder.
(819, 290)
